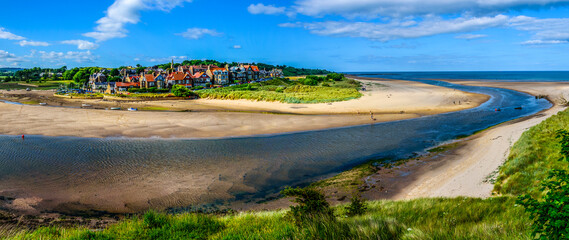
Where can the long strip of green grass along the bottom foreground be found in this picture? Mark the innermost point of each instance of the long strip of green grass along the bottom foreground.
(435, 218)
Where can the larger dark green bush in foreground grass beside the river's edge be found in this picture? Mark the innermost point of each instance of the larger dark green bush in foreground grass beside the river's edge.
(312, 205)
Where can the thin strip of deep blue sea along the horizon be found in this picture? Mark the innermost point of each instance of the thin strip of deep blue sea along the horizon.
(505, 76)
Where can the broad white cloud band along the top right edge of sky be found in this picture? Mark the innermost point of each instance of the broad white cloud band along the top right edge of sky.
(401, 8)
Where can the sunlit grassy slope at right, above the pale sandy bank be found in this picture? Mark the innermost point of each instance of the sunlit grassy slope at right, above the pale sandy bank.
(532, 157)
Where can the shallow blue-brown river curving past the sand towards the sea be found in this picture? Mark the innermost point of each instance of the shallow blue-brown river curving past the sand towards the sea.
(125, 175)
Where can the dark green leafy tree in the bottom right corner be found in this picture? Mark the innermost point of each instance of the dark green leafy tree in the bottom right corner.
(551, 213)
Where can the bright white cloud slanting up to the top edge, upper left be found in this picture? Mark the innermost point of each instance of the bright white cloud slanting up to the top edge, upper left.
(123, 12)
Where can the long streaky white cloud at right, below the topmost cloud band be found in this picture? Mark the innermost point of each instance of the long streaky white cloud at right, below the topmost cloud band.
(397, 29)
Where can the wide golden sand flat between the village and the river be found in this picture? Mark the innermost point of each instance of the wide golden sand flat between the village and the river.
(389, 100)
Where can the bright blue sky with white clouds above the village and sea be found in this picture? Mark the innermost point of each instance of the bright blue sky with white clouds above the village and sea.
(339, 35)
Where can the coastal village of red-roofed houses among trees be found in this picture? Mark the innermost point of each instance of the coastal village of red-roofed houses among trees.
(192, 77)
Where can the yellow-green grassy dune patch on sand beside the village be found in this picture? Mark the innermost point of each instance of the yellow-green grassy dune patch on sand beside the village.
(286, 92)
